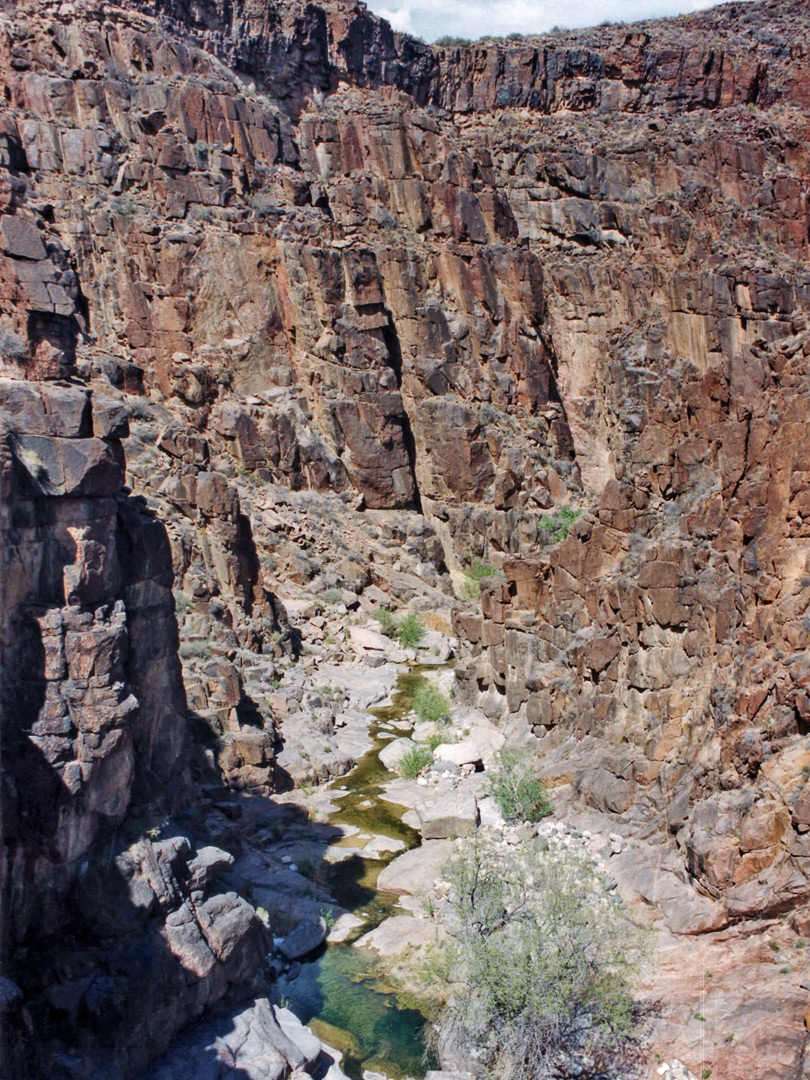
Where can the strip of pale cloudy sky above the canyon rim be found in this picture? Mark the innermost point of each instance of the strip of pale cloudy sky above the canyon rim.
(474, 19)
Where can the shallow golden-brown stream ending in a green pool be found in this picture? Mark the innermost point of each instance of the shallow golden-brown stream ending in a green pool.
(339, 993)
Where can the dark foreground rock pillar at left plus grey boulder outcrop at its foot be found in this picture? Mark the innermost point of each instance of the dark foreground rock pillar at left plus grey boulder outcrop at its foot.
(117, 944)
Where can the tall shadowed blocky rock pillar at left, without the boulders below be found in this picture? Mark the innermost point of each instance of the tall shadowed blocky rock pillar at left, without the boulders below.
(93, 703)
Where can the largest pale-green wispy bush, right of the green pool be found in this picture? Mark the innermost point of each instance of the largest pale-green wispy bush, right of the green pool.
(539, 963)
